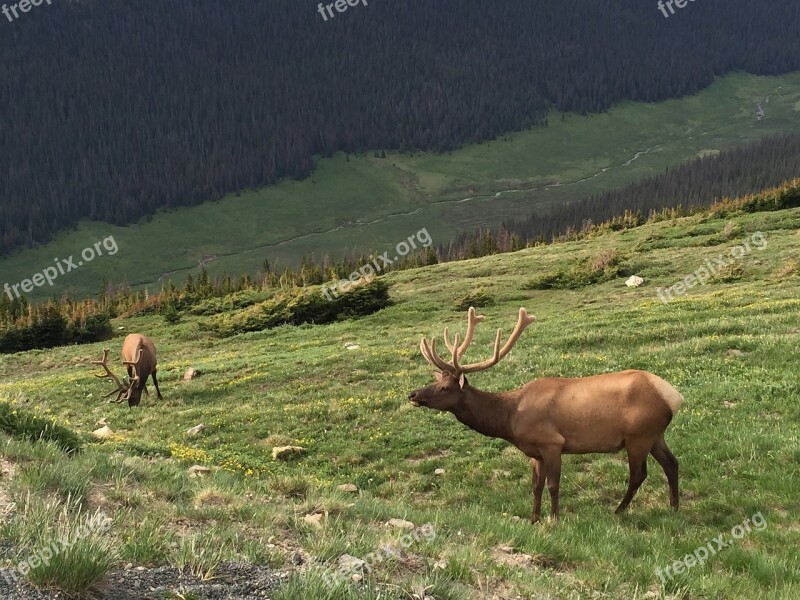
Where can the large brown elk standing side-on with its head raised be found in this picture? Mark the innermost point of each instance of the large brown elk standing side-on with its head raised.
(553, 416)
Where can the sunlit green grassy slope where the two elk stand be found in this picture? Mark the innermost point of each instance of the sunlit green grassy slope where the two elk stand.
(737, 436)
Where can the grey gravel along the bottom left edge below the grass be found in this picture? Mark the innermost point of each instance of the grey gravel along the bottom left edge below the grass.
(233, 581)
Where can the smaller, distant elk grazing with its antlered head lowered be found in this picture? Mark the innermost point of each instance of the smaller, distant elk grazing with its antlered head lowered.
(139, 356)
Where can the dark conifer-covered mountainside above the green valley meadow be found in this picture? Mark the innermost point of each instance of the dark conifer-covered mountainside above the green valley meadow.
(113, 108)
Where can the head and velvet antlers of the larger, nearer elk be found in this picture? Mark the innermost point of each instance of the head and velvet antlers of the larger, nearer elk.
(447, 392)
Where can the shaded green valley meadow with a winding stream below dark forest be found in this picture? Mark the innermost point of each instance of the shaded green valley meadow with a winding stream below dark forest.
(365, 202)
